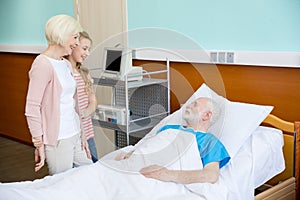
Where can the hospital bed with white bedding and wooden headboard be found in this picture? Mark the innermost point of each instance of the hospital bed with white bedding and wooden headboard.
(255, 148)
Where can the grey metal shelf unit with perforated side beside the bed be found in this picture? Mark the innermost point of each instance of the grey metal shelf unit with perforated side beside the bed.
(146, 103)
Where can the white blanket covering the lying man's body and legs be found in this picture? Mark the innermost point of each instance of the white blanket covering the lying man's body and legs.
(110, 179)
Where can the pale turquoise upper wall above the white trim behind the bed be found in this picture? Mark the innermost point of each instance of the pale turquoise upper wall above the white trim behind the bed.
(268, 25)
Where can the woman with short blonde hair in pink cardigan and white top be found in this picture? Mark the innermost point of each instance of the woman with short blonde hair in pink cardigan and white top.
(51, 103)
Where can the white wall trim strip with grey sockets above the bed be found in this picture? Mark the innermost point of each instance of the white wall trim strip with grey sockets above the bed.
(274, 59)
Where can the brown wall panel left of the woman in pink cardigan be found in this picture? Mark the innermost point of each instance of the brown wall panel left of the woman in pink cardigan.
(14, 82)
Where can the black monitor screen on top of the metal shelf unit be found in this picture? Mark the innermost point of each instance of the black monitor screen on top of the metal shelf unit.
(113, 60)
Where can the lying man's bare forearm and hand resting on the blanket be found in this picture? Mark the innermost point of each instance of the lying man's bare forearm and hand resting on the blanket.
(209, 174)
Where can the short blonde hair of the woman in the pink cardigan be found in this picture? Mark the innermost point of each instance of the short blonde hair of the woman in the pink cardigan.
(60, 28)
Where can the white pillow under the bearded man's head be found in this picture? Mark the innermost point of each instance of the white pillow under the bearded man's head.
(236, 122)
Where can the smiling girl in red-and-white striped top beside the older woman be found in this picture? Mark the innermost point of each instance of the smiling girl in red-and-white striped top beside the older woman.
(86, 96)
